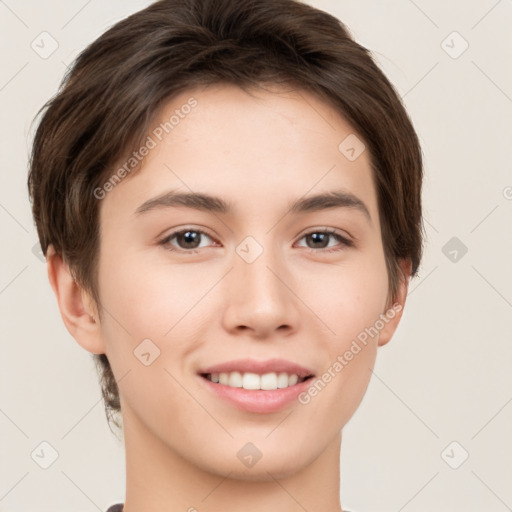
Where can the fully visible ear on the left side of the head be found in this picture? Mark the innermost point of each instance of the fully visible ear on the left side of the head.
(76, 307)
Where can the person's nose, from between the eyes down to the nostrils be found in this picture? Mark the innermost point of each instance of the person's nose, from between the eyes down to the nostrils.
(261, 298)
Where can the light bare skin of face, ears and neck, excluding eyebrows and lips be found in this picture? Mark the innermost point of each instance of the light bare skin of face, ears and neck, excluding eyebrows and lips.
(295, 301)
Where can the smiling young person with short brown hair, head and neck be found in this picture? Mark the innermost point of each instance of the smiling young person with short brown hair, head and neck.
(228, 195)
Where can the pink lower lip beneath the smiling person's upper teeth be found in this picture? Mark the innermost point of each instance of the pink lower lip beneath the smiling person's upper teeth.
(257, 400)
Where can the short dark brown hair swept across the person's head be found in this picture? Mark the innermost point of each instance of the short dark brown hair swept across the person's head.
(120, 82)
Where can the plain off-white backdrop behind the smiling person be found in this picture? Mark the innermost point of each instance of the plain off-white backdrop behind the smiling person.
(433, 431)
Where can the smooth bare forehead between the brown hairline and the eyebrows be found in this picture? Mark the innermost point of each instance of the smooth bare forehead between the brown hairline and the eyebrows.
(246, 147)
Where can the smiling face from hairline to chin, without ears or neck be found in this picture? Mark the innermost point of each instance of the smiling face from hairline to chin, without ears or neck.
(187, 285)
